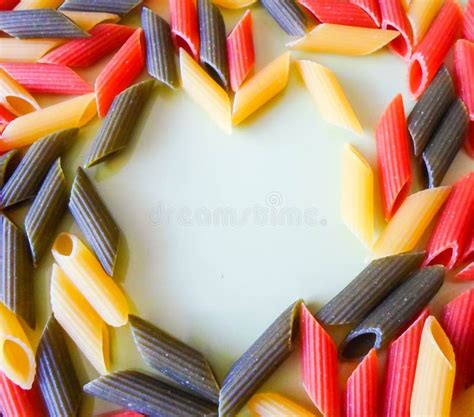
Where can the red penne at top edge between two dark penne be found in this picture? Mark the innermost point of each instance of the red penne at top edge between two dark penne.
(184, 26)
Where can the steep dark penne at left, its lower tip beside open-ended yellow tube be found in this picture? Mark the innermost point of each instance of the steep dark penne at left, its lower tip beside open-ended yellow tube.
(46, 211)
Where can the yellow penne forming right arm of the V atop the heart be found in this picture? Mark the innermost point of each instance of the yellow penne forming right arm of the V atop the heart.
(261, 88)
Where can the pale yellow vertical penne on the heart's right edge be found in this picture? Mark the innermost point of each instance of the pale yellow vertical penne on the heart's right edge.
(357, 194)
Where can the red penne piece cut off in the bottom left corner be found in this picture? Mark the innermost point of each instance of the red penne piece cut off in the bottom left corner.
(17, 402)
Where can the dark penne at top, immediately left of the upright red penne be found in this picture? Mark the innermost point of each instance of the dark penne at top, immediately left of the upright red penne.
(160, 60)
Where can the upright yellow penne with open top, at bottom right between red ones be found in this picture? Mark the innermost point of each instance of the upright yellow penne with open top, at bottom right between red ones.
(435, 371)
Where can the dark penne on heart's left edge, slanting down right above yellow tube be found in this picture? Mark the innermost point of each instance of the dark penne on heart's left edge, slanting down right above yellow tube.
(94, 220)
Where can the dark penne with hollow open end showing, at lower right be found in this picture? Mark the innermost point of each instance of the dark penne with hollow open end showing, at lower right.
(394, 313)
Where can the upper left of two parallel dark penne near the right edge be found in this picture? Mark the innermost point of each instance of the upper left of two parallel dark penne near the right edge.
(430, 109)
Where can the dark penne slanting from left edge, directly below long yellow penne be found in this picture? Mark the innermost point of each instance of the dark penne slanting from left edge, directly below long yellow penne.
(28, 176)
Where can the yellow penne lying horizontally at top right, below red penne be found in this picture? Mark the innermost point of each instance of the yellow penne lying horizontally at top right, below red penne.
(344, 40)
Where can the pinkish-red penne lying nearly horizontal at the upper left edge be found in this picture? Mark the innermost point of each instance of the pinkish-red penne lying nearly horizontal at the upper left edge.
(47, 78)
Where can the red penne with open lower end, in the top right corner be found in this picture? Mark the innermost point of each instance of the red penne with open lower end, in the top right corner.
(432, 50)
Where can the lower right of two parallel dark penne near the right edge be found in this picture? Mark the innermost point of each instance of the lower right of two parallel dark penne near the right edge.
(446, 143)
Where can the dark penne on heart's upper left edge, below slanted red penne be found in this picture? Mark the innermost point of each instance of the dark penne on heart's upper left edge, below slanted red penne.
(119, 123)
